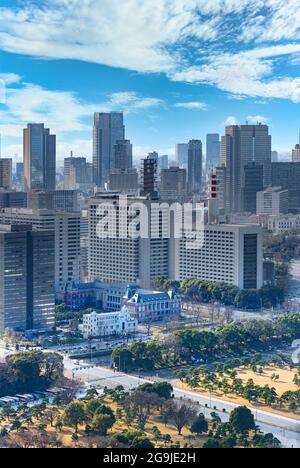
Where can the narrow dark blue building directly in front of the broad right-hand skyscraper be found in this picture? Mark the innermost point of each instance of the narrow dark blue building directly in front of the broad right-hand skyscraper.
(254, 182)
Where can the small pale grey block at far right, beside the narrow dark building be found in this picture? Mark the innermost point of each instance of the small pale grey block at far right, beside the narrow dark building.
(272, 201)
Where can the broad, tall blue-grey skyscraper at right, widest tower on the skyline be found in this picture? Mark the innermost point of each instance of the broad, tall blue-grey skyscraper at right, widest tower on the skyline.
(242, 145)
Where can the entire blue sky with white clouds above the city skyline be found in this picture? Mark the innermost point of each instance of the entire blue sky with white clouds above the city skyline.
(177, 69)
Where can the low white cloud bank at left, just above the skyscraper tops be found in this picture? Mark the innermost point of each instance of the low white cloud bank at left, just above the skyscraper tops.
(61, 111)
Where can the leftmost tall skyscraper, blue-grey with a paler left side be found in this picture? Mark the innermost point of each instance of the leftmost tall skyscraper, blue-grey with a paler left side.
(39, 157)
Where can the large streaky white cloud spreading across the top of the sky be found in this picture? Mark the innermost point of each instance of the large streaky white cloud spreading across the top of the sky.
(186, 40)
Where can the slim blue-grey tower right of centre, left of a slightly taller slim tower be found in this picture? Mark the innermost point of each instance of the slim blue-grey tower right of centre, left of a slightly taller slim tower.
(195, 165)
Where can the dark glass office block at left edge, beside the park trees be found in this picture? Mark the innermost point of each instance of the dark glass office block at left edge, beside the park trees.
(27, 278)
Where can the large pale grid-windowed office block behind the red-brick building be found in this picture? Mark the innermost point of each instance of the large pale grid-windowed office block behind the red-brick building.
(124, 258)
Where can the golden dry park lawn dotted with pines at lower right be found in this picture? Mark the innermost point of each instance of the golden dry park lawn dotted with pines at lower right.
(284, 384)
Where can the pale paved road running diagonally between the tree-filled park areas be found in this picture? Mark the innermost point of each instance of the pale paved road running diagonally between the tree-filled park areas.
(285, 429)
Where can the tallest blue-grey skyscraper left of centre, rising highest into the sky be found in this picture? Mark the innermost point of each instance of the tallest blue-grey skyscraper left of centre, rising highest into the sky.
(108, 129)
